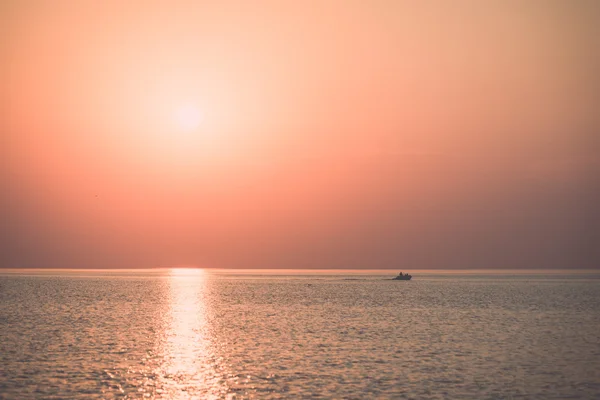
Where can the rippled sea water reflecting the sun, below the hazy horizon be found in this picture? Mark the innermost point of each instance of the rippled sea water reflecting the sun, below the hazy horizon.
(189, 334)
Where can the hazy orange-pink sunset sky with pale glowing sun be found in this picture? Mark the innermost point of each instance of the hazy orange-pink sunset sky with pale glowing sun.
(300, 134)
